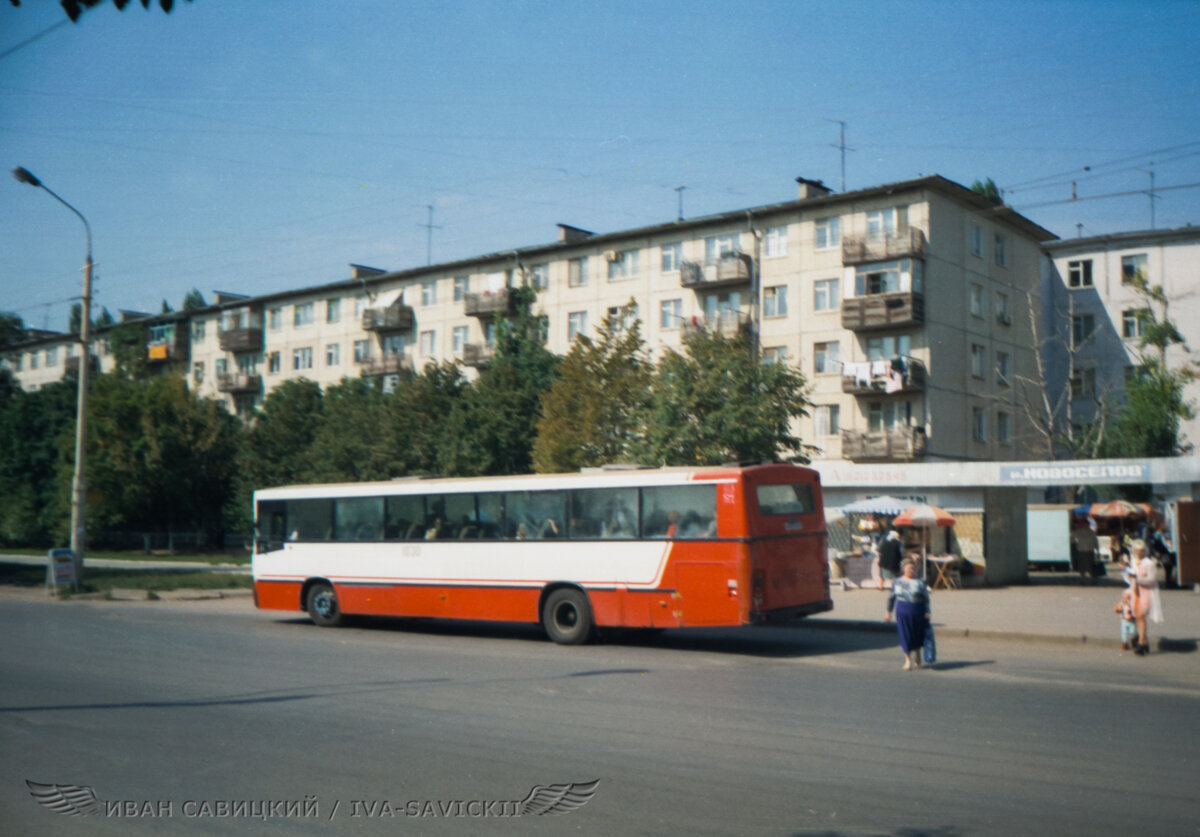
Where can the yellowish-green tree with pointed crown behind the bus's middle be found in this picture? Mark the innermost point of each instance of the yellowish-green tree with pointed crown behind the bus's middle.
(593, 414)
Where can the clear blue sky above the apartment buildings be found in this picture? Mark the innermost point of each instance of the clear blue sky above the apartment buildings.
(262, 147)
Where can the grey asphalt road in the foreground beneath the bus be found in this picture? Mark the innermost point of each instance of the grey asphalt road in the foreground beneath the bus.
(446, 728)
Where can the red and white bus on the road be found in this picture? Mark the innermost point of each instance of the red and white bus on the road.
(616, 549)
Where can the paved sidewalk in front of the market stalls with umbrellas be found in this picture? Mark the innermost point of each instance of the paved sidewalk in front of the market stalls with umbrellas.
(1054, 607)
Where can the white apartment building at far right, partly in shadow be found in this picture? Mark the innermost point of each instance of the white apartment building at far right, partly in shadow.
(1091, 303)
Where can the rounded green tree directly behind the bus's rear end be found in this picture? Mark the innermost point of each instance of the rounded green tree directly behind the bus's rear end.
(718, 404)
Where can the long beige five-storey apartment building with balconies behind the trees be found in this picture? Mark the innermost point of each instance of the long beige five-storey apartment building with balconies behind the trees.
(908, 306)
